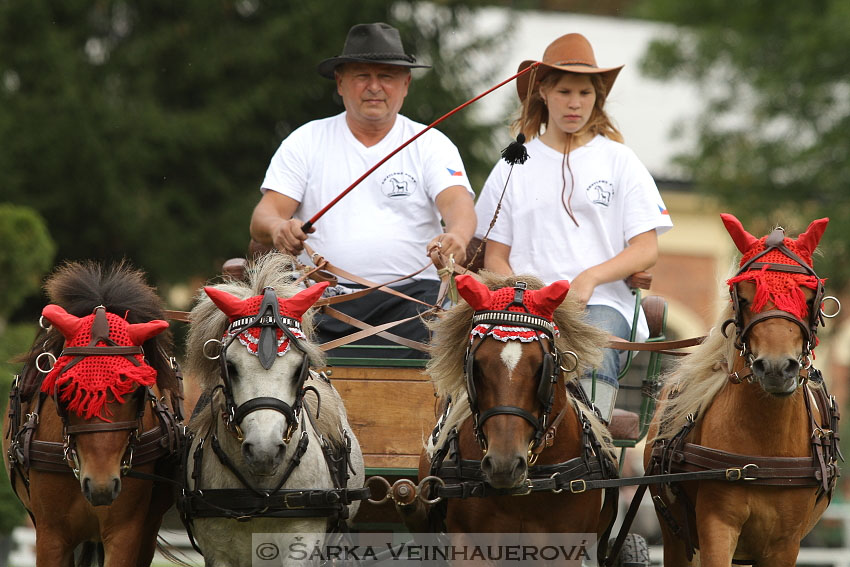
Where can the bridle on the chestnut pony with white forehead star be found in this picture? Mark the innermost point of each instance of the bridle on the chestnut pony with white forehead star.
(549, 371)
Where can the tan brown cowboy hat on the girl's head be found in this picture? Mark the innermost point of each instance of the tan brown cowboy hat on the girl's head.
(571, 52)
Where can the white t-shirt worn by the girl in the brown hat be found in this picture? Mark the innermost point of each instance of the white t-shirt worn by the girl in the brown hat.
(614, 198)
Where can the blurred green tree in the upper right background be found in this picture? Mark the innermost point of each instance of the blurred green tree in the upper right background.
(772, 142)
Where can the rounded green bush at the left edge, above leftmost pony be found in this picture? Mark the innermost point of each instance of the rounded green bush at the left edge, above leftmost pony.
(26, 255)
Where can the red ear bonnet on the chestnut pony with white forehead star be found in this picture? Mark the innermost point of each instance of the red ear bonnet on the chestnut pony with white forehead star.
(541, 302)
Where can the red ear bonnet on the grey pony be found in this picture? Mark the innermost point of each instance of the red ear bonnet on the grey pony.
(292, 308)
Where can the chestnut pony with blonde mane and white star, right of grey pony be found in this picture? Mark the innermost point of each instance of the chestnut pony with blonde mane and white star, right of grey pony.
(507, 358)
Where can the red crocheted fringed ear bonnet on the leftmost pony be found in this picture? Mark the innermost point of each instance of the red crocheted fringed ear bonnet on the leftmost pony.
(85, 380)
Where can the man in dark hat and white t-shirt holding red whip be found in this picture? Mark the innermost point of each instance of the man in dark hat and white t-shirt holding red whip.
(383, 229)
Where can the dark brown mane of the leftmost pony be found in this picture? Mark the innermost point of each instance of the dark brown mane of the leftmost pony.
(79, 287)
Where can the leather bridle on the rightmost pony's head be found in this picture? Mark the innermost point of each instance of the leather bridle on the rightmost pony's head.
(775, 241)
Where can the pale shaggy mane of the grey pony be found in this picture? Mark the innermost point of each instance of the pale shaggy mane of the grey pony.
(207, 321)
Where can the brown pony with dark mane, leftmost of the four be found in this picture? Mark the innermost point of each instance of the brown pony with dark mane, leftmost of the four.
(88, 413)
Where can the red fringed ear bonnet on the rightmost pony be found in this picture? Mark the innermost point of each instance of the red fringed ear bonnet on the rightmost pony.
(782, 288)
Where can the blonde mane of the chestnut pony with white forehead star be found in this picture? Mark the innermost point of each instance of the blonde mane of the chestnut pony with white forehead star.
(451, 337)
